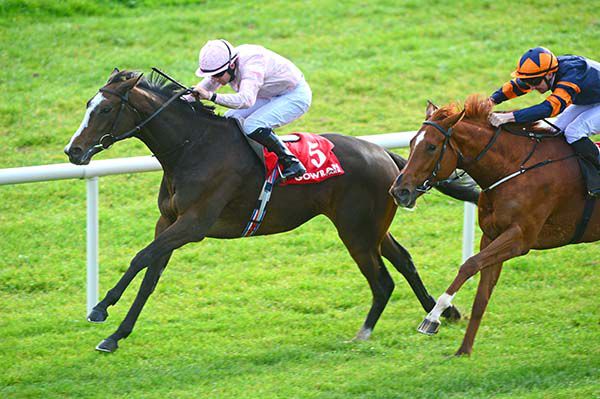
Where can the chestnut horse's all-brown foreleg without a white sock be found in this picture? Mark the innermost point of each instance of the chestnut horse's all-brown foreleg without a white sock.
(487, 282)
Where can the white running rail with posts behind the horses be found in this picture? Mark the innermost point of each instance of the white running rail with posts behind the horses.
(107, 167)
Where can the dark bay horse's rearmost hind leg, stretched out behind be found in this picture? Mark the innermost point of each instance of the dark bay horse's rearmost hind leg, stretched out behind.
(402, 261)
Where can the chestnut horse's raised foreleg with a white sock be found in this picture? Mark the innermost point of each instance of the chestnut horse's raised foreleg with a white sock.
(509, 244)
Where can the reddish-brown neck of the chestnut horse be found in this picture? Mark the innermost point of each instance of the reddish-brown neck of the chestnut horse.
(505, 155)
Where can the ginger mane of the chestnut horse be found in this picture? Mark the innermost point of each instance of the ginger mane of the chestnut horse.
(477, 109)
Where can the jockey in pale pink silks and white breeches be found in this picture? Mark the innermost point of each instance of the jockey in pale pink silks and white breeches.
(270, 91)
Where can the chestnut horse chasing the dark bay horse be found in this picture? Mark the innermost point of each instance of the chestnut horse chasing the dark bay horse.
(537, 209)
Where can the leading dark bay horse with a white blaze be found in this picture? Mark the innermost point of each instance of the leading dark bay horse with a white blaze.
(211, 182)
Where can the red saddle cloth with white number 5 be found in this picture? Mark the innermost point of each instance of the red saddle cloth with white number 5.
(316, 154)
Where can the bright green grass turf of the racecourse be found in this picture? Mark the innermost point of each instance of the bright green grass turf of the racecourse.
(269, 317)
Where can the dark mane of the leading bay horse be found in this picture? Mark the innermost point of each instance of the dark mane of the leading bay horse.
(164, 89)
